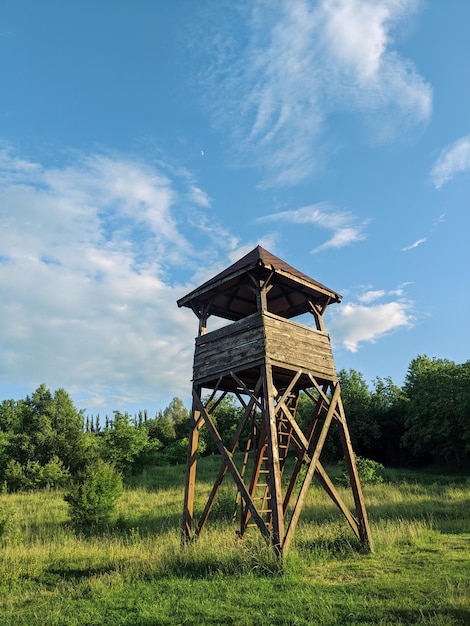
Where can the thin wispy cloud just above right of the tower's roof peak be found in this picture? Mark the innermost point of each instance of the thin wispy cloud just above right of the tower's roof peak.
(345, 226)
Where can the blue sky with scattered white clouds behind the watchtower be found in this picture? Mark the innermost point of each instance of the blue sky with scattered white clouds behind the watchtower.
(145, 146)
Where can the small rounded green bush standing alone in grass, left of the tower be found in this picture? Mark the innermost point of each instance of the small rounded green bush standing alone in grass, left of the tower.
(94, 494)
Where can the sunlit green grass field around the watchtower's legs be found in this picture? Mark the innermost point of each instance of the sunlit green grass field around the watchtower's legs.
(135, 573)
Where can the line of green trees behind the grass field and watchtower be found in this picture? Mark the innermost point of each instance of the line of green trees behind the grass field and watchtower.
(45, 441)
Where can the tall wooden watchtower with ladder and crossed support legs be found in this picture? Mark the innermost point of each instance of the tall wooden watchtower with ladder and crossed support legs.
(267, 361)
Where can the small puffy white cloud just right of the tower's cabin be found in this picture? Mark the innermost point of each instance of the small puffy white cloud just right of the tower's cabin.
(368, 319)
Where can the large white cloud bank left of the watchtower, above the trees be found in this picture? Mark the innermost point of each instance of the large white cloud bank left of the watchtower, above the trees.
(86, 299)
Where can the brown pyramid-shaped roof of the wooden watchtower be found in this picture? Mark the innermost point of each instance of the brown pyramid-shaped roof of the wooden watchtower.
(230, 293)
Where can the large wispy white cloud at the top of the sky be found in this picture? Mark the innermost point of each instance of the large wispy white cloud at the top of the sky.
(303, 61)
